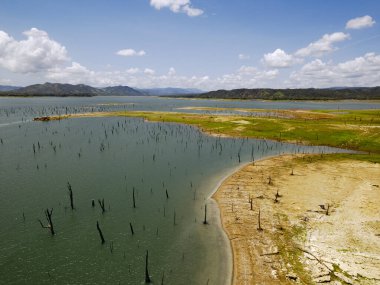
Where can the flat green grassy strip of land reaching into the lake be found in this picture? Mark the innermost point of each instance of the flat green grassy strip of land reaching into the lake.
(356, 130)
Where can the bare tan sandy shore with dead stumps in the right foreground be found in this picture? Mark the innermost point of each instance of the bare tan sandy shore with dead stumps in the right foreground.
(324, 226)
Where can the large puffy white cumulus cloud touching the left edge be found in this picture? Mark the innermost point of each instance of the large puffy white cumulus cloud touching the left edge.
(37, 53)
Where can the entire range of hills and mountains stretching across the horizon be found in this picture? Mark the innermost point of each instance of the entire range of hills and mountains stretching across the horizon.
(81, 90)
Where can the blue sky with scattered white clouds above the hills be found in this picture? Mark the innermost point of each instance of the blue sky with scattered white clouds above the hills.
(203, 44)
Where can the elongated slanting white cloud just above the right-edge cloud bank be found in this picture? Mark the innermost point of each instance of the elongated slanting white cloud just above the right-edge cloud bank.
(323, 45)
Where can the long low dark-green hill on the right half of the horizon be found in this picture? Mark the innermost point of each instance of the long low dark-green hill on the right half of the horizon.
(361, 93)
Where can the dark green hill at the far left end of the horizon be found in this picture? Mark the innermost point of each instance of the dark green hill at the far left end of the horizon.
(55, 89)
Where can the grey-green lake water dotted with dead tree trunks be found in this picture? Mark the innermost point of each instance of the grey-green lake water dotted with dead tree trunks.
(110, 158)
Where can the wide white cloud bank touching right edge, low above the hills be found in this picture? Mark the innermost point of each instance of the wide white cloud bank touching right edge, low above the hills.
(361, 71)
